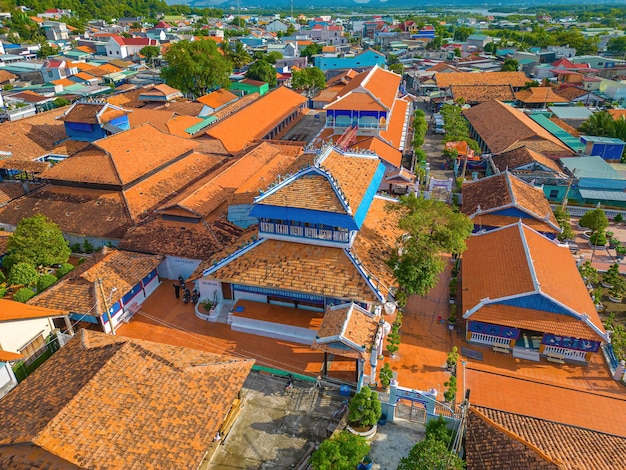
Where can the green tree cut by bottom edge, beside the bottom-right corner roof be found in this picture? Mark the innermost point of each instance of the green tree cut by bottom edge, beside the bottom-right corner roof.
(430, 454)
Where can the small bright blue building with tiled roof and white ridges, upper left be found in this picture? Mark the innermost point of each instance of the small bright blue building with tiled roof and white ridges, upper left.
(91, 121)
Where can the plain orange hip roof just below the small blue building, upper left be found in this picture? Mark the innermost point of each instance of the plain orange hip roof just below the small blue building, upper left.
(122, 158)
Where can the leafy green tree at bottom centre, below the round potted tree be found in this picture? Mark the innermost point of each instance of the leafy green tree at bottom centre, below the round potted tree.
(342, 452)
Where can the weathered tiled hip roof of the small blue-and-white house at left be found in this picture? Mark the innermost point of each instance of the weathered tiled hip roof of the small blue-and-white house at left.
(79, 291)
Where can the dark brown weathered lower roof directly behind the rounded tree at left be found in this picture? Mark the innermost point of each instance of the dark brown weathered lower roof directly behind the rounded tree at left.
(92, 212)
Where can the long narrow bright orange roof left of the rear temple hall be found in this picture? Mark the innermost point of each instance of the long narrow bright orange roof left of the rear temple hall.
(239, 129)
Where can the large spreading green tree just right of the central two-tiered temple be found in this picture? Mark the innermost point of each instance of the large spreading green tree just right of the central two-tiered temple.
(431, 229)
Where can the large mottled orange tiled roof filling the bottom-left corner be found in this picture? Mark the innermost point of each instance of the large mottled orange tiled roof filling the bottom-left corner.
(162, 407)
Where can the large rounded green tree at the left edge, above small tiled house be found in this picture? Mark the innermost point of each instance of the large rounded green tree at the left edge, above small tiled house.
(38, 241)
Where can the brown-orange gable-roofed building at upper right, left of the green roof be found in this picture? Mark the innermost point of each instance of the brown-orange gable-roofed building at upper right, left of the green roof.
(486, 121)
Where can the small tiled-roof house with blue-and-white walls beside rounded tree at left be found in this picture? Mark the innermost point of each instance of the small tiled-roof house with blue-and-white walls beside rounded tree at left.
(105, 290)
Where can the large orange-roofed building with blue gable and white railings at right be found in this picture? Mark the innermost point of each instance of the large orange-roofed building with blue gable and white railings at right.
(539, 310)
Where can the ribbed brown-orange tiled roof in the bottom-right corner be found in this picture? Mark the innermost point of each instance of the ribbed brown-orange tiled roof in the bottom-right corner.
(545, 441)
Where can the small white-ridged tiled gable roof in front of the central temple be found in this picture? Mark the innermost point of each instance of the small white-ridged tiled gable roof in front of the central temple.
(348, 331)
